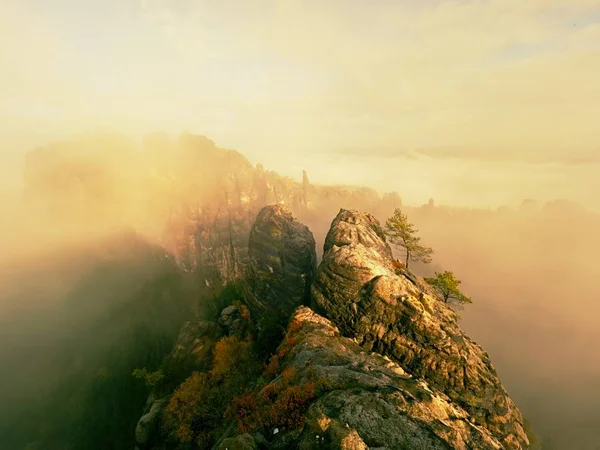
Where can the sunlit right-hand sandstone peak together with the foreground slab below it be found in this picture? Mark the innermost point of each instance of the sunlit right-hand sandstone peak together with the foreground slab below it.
(383, 365)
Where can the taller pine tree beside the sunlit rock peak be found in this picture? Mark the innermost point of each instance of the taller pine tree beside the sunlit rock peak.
(402, 233)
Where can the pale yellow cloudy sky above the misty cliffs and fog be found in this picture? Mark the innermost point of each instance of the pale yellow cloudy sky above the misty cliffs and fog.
(472, 102)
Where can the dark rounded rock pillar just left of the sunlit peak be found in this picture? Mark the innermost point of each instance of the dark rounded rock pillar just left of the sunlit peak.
(282, 263)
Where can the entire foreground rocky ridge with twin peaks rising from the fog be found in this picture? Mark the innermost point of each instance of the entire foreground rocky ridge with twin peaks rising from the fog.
(381, 364)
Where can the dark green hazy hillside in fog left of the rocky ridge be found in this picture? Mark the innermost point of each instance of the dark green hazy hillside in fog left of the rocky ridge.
(120, 305)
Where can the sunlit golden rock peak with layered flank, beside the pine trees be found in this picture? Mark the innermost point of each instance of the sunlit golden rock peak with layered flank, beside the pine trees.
(357, 287)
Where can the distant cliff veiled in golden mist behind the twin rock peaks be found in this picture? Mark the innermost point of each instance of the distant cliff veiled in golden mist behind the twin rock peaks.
(197, 199)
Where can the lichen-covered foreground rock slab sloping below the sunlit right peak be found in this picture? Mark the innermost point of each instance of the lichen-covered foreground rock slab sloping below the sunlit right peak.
(366, 400)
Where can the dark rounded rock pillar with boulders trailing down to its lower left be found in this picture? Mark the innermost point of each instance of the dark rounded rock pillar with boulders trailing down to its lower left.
(281, 268)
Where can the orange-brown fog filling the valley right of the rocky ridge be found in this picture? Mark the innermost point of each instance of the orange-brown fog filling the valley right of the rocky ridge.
(533, 277)
